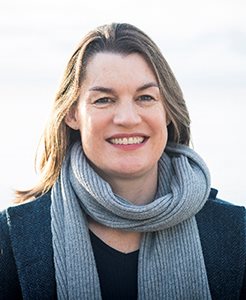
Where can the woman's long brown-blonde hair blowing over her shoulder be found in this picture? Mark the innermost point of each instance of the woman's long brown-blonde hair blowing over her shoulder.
(116, 38)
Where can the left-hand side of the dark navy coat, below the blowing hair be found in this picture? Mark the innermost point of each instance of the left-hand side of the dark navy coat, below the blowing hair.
(26, 249)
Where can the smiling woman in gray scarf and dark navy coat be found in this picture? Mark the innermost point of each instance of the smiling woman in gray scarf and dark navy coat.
(124, 208)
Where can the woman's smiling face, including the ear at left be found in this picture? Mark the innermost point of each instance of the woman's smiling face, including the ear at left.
(120, 116)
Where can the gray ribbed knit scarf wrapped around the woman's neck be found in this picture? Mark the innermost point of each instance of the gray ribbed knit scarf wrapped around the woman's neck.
(170, 263)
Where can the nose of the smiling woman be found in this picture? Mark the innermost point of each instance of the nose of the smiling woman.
(127, 114)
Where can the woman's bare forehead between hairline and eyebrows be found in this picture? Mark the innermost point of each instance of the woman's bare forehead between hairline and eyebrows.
(105, 68)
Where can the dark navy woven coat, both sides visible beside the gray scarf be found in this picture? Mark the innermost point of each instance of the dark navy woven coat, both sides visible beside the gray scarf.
(26, 254)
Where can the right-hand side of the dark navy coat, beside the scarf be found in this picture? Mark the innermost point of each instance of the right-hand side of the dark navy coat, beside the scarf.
(222, 229)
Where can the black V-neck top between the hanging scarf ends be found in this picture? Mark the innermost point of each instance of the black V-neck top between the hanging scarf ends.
(117, 271)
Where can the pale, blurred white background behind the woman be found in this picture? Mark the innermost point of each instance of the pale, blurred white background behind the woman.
(203, 41)
